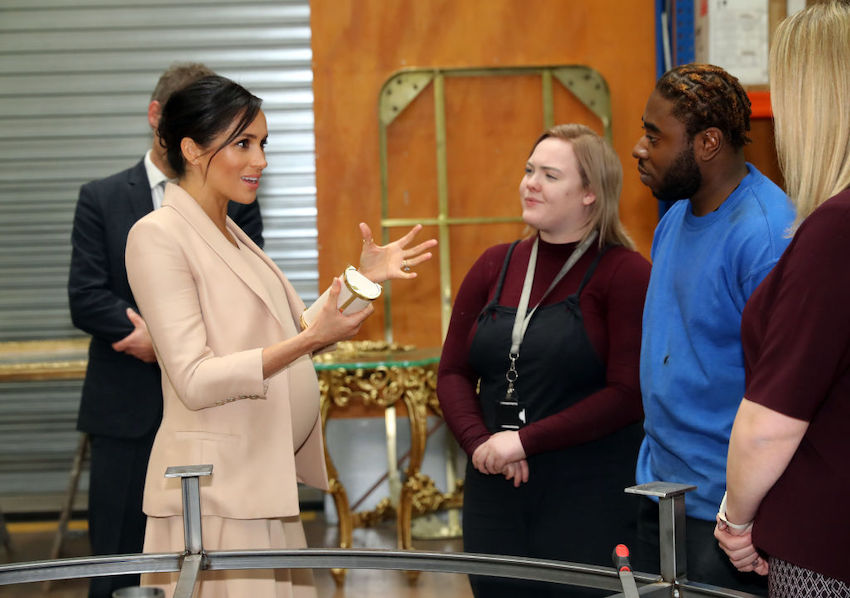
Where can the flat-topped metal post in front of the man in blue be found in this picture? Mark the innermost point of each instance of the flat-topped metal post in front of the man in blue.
(671, 526)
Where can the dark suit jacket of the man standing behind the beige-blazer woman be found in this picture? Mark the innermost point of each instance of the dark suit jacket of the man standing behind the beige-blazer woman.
(122, 396)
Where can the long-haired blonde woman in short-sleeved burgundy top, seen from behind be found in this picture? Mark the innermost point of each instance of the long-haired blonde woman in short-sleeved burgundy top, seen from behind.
(788, 482)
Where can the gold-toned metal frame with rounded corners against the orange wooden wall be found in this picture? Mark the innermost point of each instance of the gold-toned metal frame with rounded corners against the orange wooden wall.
(404, 86)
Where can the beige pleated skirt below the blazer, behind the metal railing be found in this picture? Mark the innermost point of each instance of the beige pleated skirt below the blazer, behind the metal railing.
(165, 534)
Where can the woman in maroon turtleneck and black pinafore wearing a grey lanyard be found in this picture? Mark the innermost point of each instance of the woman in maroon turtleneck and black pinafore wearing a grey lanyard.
(550, 451)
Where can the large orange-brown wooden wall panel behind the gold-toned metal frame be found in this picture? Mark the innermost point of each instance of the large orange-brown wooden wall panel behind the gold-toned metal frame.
(358, 44)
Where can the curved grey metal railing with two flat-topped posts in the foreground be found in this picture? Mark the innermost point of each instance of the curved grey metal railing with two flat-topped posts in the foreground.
(194, 559)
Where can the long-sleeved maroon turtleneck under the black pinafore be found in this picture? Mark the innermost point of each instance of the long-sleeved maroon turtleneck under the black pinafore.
(612, 307)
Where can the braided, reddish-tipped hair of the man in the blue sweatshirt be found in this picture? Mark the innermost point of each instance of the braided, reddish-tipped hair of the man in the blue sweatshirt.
(704, 96)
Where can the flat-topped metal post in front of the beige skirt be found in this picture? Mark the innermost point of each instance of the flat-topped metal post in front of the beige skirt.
(193, 561)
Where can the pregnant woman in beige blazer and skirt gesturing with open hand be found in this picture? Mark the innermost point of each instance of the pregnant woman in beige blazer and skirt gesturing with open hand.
(239, 387)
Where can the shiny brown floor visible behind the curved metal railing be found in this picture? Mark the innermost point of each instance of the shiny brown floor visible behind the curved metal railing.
(33, 540)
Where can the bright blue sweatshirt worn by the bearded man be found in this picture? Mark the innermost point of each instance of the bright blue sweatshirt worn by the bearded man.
(691, 363)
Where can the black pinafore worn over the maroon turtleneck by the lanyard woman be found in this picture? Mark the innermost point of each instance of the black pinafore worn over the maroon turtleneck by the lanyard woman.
(573, 507)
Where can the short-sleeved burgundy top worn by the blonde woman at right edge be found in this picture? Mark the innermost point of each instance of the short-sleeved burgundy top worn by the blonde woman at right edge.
(796, 337)
